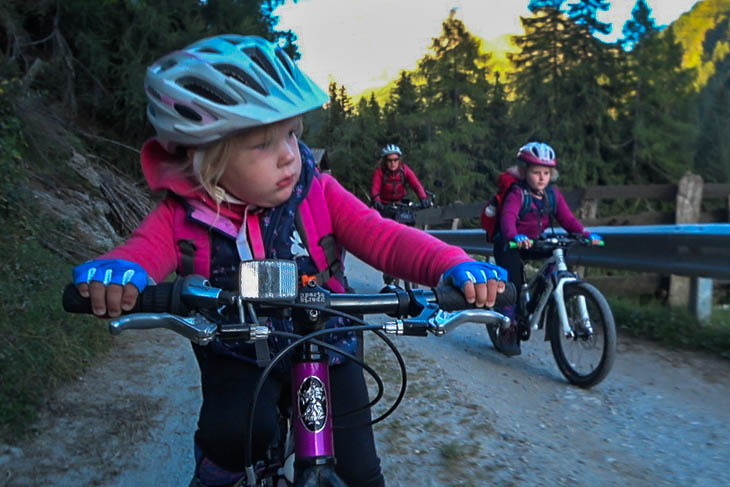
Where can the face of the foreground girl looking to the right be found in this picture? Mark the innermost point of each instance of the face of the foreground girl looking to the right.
(264, 165)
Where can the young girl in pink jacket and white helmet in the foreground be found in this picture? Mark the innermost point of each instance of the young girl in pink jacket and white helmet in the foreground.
(240, 185)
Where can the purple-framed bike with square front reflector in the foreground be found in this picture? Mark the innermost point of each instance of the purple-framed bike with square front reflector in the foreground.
(304, 454)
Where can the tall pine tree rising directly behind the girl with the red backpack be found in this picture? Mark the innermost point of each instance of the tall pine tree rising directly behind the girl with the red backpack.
(562, 88)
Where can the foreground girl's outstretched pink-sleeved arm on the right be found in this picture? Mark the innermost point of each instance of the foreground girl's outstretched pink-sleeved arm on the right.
(384, 244)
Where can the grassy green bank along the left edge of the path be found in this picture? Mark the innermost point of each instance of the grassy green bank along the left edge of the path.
(40, 345)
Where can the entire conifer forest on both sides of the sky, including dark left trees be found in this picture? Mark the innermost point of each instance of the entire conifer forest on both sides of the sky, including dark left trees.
(641, 110)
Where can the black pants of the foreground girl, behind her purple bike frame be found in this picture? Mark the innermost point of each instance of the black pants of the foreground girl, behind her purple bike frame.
(228, 386)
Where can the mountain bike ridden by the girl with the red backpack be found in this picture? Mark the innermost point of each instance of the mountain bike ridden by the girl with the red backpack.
(576, 317)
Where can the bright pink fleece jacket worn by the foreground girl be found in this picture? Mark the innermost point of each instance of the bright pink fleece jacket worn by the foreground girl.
(382, 243)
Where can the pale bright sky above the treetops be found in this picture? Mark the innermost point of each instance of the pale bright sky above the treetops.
(364, 44)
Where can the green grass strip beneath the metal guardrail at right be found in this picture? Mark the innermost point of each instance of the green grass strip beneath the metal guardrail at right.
(673, 326)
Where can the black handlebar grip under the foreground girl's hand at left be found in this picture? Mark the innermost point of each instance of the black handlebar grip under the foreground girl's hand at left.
(154, 299)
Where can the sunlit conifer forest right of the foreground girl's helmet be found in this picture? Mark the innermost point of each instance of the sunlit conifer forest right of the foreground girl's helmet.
(642, 110)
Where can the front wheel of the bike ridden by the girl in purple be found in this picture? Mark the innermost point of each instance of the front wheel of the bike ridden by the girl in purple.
(585, 355)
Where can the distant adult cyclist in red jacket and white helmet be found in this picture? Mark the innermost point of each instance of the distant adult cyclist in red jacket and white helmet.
(391, 177)
